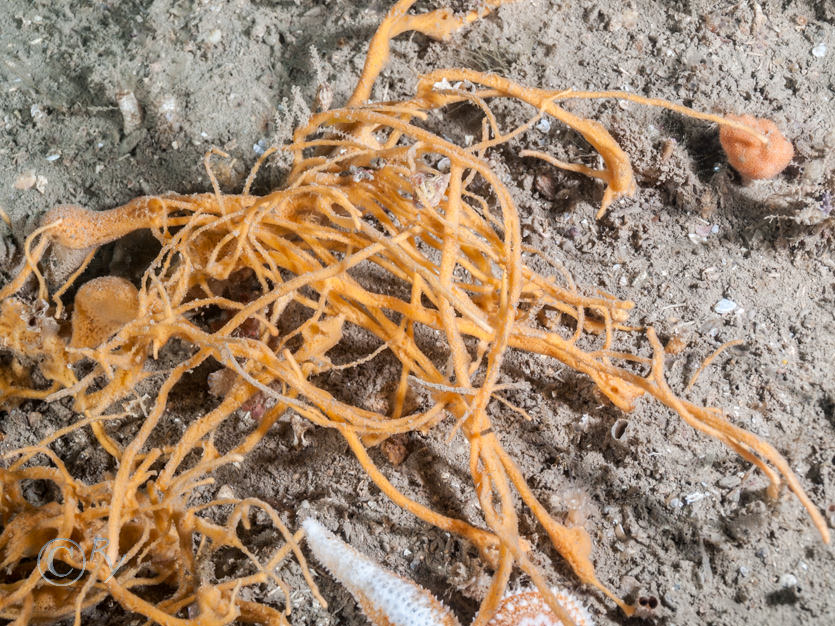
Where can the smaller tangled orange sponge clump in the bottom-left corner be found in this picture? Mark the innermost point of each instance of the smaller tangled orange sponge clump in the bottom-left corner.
(54, 556)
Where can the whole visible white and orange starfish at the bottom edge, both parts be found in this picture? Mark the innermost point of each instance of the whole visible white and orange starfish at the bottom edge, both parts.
(391, 600)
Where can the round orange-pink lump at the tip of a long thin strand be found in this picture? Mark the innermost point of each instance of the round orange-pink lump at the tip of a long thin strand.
(756, 155)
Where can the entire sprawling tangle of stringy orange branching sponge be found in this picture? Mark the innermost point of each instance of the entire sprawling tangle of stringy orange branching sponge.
(364, 200)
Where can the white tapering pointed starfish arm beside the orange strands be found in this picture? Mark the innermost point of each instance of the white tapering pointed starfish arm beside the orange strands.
(385, 598)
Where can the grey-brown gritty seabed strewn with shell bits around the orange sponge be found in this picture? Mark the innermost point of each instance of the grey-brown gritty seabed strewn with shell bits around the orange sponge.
(673, 514)
